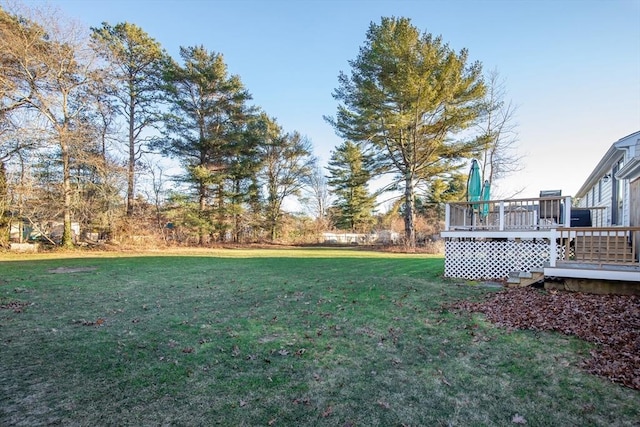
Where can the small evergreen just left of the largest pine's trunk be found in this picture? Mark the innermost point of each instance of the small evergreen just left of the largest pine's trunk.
(349, 175)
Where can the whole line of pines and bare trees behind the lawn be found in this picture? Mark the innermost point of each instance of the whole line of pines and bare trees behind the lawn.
(85, 117)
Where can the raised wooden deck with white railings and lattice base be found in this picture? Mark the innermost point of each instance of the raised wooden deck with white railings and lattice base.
(545, 234)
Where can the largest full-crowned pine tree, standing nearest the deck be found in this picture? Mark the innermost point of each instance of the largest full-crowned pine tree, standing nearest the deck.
(407, 95)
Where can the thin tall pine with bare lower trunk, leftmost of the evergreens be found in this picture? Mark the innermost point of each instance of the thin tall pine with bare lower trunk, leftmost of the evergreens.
(135, 61)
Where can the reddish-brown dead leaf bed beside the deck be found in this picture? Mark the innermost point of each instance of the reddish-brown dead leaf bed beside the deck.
(611, 321)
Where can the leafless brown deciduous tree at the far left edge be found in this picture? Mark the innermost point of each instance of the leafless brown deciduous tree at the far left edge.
(53, 69)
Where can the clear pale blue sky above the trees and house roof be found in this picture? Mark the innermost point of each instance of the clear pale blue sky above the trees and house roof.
(571, 66)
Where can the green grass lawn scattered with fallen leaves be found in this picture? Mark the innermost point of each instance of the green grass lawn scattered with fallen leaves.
(276, 337)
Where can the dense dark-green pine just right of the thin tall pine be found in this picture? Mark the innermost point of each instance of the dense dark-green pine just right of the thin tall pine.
(208, 107)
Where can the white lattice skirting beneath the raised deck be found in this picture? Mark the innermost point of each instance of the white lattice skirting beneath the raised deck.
(491, 260)
